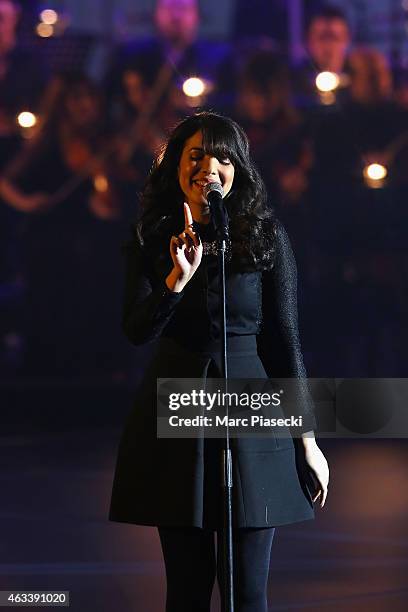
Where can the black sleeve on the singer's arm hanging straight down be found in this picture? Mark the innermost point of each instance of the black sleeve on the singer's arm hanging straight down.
(278, 342)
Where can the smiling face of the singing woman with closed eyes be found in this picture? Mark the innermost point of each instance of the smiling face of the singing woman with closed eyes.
(196, 169)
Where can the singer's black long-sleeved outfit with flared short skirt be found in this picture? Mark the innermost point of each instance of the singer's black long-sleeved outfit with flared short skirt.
(161, 481)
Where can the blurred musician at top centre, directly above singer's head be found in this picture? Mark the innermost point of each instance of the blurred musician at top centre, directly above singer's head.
(173, 54)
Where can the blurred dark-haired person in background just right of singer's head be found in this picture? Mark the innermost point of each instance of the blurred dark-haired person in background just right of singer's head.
(264, 107)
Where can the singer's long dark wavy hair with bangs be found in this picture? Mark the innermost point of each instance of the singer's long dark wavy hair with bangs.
(252, 220)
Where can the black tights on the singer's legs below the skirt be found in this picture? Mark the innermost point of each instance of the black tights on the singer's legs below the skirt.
(191, 567)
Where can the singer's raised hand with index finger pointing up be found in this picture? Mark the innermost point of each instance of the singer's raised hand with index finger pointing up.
(186, 251)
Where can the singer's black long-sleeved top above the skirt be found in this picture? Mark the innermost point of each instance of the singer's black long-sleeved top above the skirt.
(262, 303)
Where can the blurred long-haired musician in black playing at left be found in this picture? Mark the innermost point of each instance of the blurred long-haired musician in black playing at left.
(61, 185)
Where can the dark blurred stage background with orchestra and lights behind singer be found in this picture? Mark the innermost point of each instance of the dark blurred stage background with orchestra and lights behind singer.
(76, 143)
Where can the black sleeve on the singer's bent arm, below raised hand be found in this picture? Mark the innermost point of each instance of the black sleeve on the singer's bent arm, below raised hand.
(147, 306)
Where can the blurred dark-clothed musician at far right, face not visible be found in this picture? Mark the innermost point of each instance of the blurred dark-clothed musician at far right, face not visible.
(345, 138)
